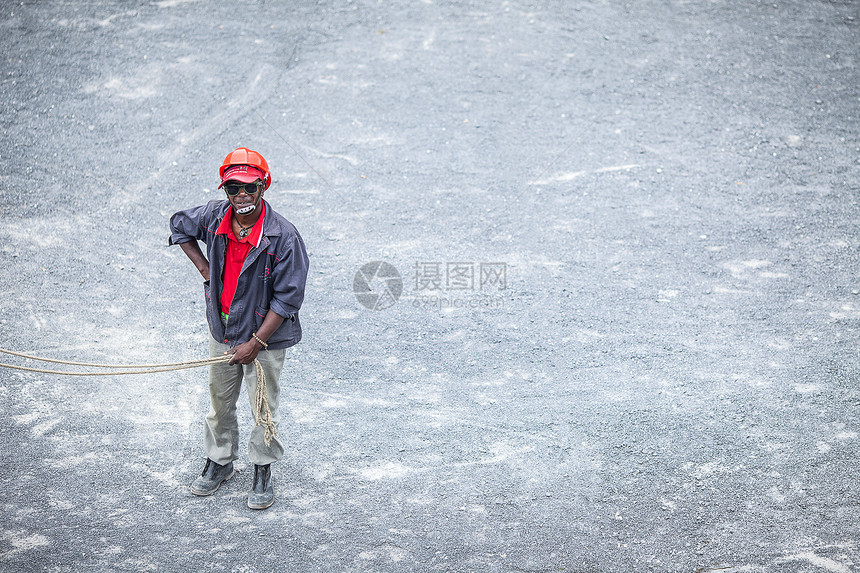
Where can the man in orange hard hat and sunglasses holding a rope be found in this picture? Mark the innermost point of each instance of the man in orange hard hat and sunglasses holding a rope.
(254, 274)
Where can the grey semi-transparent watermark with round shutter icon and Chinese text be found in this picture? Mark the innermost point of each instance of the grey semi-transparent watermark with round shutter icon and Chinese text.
(437, 285)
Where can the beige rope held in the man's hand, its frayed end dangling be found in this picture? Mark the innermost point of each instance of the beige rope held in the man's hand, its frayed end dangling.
(262, 412)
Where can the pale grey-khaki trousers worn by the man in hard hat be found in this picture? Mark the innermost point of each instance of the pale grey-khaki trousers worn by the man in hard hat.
(221, 438)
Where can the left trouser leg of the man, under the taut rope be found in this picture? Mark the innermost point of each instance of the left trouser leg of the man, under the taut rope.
(221, 434)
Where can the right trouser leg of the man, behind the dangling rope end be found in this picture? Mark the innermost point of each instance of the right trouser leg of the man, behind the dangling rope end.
(272, 362)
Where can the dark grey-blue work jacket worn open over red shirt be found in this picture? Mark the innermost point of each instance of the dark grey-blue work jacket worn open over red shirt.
(273, 275)
